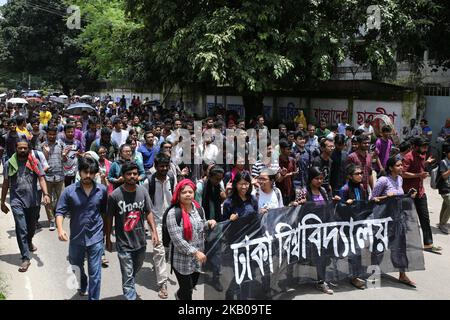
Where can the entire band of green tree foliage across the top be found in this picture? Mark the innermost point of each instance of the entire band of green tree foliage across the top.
(253, 46)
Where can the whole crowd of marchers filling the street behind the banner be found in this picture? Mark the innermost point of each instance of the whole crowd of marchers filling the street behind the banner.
(121, 171)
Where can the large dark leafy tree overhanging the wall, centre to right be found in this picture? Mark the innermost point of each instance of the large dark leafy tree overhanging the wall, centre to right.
(255, 46)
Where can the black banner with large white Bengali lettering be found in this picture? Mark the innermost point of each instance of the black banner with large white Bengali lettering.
(260, 257)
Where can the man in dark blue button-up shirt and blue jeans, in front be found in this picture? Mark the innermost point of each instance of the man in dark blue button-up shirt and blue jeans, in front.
(85, 202)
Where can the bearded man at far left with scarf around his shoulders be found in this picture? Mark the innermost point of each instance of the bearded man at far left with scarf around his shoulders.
(21, 174)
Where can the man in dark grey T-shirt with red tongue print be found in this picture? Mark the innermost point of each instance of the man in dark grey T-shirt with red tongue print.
(130, 206)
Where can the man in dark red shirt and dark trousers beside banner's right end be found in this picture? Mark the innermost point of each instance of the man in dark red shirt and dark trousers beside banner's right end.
(413, 174)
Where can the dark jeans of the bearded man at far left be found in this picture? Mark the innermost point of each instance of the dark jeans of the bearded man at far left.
(25, 220)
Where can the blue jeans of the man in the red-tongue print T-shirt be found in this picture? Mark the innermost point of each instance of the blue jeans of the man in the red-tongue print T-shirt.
(130, 264)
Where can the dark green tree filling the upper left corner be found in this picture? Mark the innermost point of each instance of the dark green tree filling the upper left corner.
(34, 39)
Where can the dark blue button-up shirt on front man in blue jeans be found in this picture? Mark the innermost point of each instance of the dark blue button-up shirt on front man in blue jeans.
(86, 223)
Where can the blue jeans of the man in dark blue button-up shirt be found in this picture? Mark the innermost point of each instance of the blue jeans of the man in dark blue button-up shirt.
(94, 254)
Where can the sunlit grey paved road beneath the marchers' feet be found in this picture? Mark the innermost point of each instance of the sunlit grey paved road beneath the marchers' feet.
(49, 276)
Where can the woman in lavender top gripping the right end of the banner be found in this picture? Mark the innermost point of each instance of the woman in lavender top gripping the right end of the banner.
(391, 186)
